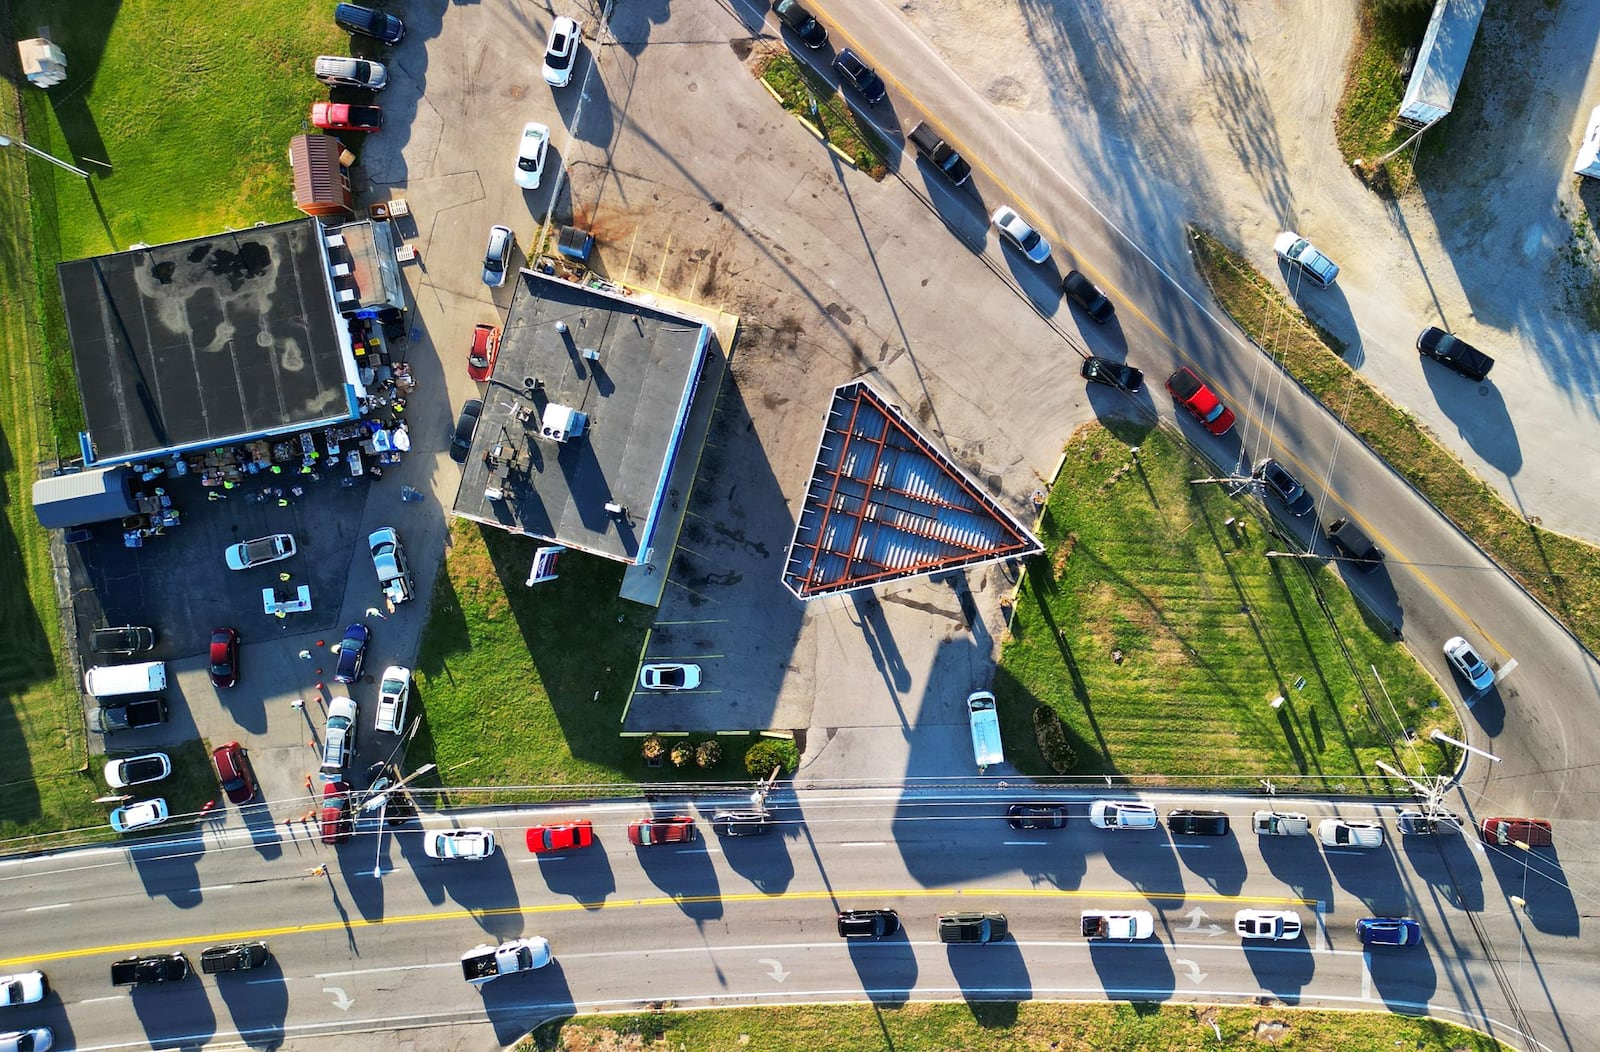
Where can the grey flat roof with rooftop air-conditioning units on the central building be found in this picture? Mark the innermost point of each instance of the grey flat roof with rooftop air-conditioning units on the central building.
(633, 370)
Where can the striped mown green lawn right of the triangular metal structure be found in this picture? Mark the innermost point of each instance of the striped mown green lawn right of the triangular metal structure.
(1210, 631)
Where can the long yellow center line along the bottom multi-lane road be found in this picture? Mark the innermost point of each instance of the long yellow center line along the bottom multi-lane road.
(631, 904)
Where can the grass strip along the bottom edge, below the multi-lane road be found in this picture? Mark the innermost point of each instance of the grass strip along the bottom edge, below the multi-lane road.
(1007, 1027)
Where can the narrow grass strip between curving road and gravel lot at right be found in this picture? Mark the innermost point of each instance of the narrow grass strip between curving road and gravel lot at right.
(1561, 572)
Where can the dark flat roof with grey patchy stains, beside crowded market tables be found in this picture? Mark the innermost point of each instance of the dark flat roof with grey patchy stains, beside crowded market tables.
(206, 341)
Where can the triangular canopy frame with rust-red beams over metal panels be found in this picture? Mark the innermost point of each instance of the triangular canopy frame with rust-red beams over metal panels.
(886, 504)
